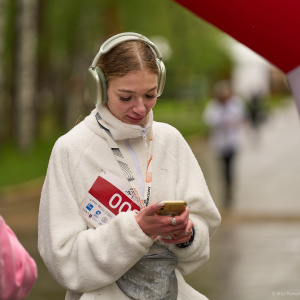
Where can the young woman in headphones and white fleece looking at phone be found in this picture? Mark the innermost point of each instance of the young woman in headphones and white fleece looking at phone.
(136, 254)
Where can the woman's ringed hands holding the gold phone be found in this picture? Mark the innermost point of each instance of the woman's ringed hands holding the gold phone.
(154, 225)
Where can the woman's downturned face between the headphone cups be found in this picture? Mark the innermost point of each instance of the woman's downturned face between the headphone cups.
(132, 96)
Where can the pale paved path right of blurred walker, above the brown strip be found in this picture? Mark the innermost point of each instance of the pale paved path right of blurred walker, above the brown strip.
(269, 167)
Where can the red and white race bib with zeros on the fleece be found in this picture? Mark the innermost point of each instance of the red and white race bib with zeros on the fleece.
(108, 196)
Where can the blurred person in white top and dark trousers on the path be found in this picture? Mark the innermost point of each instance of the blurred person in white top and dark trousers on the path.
(224, 115)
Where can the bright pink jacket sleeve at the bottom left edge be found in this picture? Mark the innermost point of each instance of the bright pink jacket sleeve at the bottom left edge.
(18, 270)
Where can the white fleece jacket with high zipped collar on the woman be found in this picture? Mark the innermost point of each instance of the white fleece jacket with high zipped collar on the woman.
(87, 261)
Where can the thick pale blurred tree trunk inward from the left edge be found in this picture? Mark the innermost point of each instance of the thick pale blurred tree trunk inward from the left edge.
(25, 72)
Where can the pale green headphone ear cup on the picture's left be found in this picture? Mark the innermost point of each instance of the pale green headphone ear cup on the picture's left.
(97, 85)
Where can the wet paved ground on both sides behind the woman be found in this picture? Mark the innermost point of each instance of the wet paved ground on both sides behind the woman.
(255, 254)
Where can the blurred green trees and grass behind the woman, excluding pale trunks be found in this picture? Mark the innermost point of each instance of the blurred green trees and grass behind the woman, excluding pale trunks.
(69, 35)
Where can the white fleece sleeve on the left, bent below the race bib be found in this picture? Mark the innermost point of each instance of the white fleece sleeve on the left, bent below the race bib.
(82, 259)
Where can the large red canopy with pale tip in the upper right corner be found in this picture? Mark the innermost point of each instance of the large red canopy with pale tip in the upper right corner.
(271, 28)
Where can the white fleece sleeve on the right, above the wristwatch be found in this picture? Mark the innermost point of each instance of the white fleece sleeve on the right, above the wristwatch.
(191, 187)
